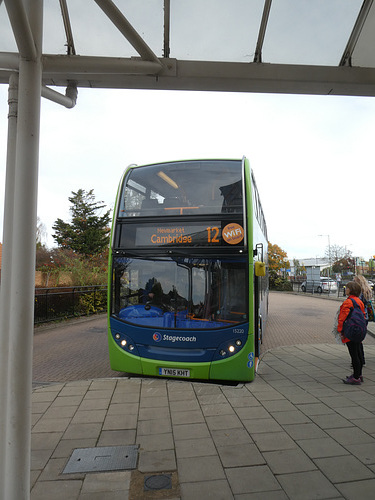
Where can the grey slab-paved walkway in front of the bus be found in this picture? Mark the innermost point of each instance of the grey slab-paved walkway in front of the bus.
(296, 432)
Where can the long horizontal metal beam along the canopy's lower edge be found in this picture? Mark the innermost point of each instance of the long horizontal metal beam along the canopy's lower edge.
(210, 76)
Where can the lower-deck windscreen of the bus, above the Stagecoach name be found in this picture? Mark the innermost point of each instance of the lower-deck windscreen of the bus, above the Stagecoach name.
(184, 293)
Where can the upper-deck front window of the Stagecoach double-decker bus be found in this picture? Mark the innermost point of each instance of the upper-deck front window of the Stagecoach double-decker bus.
(183, 188)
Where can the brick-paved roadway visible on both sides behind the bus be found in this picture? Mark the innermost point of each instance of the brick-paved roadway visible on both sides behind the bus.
(77, 350)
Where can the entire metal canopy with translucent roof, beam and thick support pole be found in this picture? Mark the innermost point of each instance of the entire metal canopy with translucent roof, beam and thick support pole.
(321, 47)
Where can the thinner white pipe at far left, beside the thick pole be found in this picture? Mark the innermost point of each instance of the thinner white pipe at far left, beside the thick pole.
(6, 279)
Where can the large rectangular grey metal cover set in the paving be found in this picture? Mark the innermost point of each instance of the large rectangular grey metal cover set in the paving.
(102, 459)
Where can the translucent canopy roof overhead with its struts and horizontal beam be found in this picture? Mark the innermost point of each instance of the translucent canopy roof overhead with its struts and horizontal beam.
(289, 46)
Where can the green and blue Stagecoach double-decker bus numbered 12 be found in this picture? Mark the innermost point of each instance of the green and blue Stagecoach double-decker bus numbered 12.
(188, 273)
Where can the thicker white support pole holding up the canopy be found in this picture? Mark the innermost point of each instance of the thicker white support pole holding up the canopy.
(23, 246)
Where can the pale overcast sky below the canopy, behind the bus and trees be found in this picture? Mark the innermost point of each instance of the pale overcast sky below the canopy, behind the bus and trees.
(312, 156)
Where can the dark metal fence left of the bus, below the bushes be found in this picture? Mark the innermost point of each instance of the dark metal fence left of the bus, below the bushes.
(68, 302)
